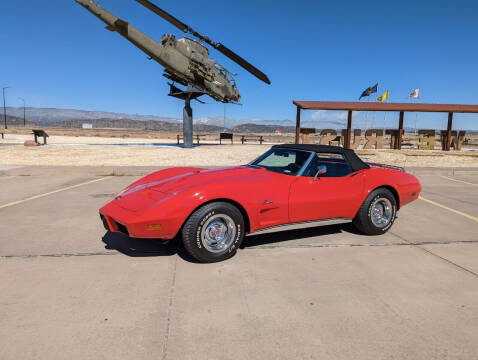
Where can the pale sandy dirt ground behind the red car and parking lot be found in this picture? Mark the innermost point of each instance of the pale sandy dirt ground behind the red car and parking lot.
(126, 151)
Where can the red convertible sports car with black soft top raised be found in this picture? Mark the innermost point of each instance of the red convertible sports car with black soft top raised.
(213, 209)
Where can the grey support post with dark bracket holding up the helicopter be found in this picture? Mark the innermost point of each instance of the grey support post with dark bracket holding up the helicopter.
(191, 93)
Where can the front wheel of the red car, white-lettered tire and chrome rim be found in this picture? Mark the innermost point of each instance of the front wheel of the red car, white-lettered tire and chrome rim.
(213, 232)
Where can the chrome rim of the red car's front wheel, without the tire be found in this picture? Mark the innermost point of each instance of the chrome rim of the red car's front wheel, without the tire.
(218, 233)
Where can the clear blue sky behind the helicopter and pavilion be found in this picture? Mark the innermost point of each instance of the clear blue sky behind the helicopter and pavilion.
(56, 54)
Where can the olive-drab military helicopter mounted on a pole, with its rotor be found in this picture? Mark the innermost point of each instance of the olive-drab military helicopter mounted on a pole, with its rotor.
(185, 61)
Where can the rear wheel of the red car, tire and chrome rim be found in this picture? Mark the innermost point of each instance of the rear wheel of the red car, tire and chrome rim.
(377, 213)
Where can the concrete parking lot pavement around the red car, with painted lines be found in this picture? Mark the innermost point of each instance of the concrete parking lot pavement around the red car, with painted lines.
(71, 290)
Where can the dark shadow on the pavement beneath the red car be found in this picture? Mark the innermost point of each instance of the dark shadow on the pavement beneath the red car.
(135, 247)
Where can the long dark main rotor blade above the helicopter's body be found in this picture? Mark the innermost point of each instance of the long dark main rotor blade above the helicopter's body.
(218, 46)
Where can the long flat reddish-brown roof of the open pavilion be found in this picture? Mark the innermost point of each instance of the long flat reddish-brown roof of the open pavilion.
(375, 106)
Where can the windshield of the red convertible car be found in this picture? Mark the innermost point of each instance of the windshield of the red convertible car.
(283, 161)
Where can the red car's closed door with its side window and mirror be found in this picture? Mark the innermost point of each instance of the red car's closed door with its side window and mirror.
(335, 194)
